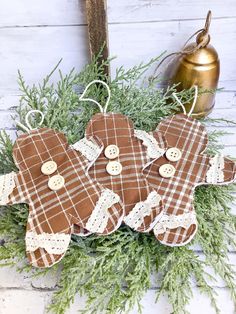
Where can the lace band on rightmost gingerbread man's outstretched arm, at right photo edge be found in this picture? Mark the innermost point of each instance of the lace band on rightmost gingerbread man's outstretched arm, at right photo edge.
(215, 174)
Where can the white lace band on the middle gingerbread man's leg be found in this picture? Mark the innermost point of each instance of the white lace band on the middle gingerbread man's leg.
(142, 209)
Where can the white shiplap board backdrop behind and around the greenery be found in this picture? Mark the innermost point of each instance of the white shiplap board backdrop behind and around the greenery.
(34, 35)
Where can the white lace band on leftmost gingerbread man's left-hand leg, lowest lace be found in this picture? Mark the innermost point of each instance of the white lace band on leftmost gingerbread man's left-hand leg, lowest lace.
(53, 243)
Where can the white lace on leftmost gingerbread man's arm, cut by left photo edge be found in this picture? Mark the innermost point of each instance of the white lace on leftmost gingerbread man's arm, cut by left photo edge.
(7, 185)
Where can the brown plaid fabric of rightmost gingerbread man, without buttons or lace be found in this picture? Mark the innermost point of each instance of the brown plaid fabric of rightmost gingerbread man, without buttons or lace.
(177, 192)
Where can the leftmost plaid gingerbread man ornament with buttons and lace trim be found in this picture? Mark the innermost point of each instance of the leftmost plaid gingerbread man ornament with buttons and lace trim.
(52, 180)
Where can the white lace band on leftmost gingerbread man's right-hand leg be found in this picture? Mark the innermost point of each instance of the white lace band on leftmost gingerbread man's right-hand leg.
(97, 222)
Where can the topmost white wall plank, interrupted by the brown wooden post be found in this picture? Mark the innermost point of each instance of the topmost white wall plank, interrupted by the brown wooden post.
(72, 12)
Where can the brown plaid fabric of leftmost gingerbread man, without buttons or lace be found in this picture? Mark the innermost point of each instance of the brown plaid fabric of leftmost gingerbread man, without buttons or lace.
(55, 212)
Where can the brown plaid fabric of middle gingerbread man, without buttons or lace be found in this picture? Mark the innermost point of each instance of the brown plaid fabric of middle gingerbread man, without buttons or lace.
(130, 185)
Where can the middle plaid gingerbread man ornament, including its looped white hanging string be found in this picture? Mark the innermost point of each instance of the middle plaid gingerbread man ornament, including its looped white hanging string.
(119, 165)
